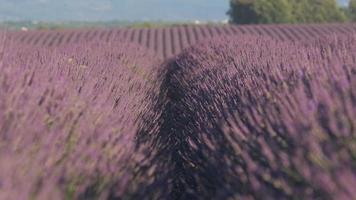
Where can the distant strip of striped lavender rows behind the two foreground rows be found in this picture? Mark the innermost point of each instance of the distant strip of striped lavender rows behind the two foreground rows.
(170, 41)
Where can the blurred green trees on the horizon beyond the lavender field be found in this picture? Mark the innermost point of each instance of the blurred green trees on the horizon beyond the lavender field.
(290, 11)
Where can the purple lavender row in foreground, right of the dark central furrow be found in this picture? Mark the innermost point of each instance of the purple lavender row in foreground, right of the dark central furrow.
(254, 118)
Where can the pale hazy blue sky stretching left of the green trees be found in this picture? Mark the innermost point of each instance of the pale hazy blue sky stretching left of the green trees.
(94, 10)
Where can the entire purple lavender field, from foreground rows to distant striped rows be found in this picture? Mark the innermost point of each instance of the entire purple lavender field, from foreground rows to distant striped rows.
(182, 112)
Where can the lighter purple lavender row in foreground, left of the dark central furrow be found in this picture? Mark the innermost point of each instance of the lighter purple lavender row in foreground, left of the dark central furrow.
(69, 119)
